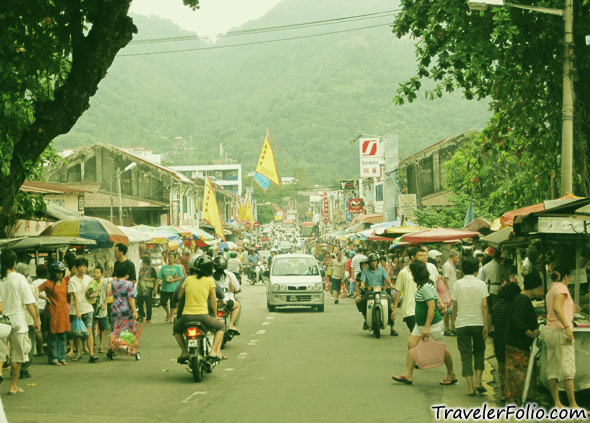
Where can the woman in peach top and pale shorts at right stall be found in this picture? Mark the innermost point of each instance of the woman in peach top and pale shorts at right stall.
(559, 337)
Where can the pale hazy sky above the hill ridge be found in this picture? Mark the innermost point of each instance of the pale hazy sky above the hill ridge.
(213, 17)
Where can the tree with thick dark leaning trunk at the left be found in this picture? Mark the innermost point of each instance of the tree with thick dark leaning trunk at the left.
(53, 54)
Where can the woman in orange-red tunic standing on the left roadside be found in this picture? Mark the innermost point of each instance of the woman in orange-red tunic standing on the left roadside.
(55, 292)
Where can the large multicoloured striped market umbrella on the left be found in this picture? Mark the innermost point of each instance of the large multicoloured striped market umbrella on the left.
(105, 233)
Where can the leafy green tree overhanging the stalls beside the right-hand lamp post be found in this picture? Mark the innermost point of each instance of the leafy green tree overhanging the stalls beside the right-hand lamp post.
(514, 57)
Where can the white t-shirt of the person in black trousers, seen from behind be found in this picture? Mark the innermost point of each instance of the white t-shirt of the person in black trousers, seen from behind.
(469, 292)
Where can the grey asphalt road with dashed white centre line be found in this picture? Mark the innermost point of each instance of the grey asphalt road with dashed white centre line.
(293, 365)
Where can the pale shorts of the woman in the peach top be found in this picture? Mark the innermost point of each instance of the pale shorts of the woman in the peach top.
(561, 362)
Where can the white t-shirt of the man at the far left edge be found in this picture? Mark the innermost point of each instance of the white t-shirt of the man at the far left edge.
(15, 293)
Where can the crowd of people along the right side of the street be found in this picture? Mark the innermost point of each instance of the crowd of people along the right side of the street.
(472, 295)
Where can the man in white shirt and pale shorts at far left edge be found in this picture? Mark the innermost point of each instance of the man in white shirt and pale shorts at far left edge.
(16, 296)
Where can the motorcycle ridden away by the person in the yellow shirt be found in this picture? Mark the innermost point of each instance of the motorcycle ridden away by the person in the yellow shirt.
(198, 344)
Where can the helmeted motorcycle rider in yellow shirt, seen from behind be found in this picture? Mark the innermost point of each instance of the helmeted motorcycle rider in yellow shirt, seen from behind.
(198, 289)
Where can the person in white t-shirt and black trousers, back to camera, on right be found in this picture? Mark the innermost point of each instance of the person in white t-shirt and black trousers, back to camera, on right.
(471, 320)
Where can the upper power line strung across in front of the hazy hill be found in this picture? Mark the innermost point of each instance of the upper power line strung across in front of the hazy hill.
(270, 28)
